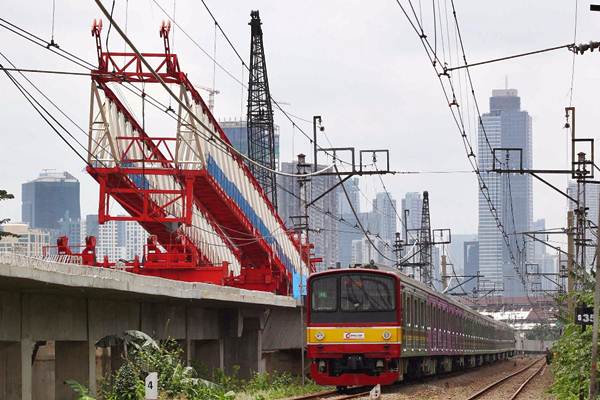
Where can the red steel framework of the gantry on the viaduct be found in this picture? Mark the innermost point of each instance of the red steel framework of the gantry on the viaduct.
(137, 161)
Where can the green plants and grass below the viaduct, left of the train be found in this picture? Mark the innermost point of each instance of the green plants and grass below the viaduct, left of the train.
(175, 381)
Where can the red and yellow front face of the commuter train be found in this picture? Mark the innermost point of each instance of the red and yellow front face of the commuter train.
(353, 327)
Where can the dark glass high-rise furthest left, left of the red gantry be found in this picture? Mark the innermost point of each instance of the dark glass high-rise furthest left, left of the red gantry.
(48, 199)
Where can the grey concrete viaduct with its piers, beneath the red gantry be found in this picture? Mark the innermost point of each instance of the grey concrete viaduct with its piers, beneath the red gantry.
(53, 314)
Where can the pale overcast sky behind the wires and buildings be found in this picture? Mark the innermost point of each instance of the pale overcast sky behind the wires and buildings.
(356, 63)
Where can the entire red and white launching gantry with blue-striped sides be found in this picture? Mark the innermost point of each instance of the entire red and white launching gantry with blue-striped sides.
(208, 218)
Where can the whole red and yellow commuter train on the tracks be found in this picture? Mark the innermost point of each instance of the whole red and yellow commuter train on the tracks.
(370, 326)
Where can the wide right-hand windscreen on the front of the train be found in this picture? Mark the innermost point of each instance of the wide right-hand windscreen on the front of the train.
(361, 292)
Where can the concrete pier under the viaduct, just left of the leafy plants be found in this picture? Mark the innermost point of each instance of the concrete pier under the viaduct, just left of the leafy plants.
(74, 360)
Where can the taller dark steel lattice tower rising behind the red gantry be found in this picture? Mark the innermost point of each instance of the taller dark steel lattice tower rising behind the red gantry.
(261, 130)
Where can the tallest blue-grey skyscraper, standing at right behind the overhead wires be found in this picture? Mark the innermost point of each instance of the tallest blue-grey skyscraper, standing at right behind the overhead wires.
(505, 126)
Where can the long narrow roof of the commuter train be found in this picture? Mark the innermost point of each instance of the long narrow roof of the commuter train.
(406, 280)
